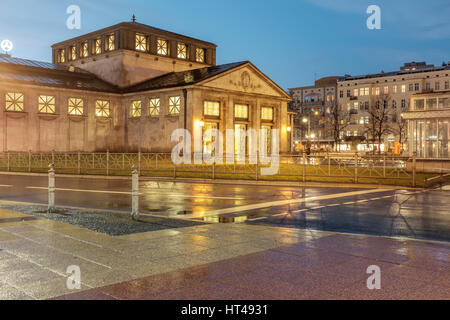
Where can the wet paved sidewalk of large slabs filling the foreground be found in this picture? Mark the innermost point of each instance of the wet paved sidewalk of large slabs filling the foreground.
(215, 261)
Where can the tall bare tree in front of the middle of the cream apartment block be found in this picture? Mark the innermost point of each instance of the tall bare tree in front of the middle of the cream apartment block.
(379, 113)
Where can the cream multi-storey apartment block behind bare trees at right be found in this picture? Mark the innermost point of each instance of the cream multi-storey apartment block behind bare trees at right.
(356, 95)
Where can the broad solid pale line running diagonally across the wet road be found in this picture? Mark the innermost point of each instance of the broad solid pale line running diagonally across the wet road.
(284, 202)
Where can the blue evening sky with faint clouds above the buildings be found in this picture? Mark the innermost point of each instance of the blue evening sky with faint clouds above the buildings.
(292, 41)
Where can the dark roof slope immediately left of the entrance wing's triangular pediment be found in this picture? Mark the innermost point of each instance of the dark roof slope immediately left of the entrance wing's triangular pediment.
(183, 78)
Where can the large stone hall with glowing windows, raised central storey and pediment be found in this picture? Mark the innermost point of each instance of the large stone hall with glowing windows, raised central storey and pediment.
(126, 88)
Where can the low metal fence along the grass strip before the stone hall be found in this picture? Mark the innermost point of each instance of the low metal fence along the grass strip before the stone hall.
(318, 167)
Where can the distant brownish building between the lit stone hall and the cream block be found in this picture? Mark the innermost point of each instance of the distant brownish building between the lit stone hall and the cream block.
(313, 106)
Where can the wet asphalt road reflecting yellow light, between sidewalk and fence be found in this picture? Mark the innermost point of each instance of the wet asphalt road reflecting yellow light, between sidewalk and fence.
(390, 212)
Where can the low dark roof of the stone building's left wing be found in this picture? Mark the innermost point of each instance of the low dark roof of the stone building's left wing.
(44, 73)
